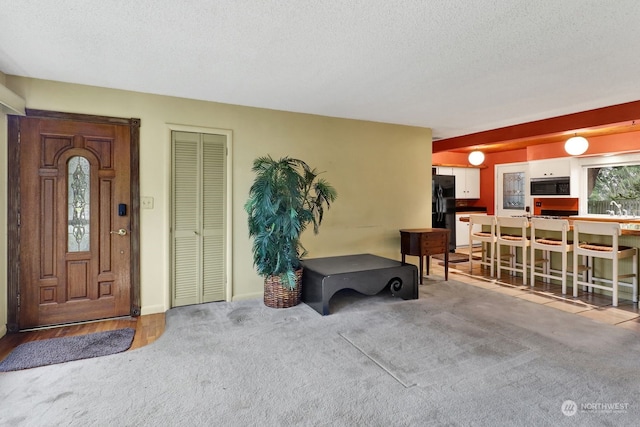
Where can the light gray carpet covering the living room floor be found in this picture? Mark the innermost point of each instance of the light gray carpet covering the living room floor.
(458, 355)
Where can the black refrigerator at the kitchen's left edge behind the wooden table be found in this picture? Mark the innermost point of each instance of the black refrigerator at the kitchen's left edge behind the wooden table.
(443, 205)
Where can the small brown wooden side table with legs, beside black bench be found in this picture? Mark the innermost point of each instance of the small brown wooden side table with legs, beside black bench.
(424, 242)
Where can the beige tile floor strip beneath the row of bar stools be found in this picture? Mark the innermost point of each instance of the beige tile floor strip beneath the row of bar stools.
(591, 305)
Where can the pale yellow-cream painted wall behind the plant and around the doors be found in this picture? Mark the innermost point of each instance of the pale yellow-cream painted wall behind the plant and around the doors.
(381, 173)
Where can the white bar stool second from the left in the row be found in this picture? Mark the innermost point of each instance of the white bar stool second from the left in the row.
(513, 242)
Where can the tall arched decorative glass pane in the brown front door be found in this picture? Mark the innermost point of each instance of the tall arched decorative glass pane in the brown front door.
(78, 177)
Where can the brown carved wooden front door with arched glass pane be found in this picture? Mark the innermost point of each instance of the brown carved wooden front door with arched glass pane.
(75, 221)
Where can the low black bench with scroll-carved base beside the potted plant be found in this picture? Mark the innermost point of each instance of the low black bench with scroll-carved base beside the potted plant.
(365, 273)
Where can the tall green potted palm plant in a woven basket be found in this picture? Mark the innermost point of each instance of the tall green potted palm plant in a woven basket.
(286, 196)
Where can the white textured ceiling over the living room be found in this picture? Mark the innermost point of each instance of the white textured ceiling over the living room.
(456, 66)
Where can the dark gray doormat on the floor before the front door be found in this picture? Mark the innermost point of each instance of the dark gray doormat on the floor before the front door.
(66, 349)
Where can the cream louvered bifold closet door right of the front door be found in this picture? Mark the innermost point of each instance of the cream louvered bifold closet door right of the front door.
(198, 218)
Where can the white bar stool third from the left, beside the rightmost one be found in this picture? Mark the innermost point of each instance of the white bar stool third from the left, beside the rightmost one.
(548, 245)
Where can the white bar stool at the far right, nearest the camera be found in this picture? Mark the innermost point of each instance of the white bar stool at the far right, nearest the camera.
(613, 252)
